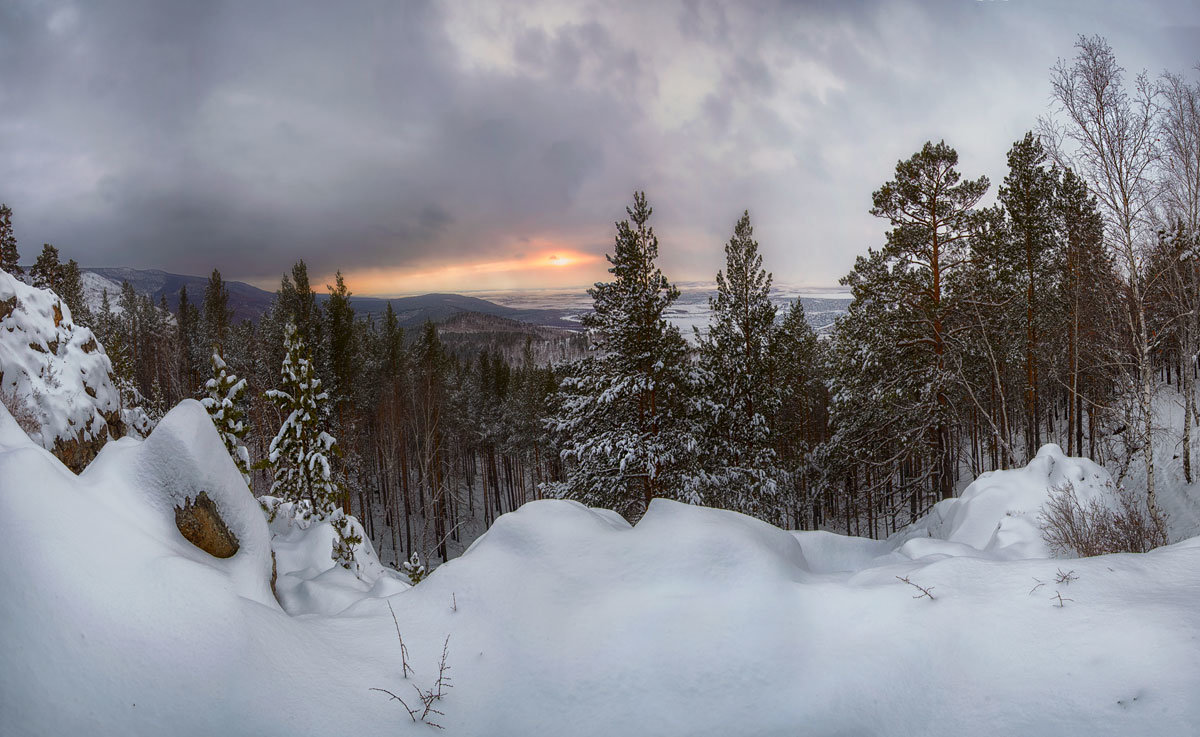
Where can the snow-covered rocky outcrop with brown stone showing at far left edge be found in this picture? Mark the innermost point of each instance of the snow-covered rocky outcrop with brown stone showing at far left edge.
(58, 370)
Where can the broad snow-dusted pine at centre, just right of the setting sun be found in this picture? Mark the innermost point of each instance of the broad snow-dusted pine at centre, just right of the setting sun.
(625, 414)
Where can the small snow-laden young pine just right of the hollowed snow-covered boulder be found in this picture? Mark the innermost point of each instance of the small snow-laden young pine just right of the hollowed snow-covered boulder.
(301, 453)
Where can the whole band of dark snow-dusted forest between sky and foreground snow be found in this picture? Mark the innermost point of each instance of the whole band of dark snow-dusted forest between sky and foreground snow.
(976, 335)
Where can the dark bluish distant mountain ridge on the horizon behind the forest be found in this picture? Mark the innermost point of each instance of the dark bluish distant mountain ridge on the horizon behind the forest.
(250, 303)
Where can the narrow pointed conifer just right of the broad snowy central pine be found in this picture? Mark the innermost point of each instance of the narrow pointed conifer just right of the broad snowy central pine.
(736, 355)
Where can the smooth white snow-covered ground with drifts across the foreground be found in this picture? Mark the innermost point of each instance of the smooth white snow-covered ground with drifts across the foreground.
(567, 621)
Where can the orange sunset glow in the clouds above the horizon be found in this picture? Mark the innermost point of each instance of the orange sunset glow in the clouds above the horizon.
(544, 268)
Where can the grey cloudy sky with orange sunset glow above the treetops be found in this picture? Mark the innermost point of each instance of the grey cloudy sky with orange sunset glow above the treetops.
(461, 146)
